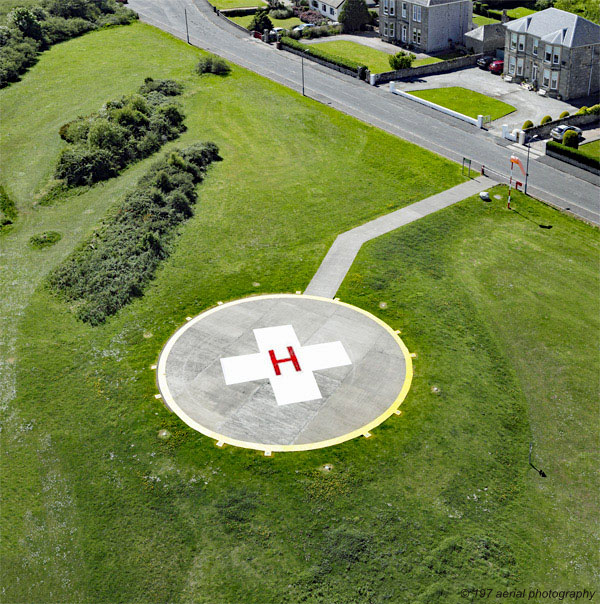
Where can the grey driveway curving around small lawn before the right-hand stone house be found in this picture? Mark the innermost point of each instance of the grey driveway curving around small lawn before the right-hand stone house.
(528, 104)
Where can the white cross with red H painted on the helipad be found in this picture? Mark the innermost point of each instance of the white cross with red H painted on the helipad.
(285, 363)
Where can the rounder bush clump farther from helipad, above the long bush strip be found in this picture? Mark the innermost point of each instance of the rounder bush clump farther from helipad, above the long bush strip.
(122, 132)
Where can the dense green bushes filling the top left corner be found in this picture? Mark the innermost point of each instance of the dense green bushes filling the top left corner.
(31, 30)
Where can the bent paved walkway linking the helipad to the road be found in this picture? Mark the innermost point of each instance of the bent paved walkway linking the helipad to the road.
(345, 248)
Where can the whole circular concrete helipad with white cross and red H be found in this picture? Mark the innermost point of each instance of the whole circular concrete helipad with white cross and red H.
(284, 372)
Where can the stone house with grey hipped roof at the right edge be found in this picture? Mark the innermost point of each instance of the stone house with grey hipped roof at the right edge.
(556, 51)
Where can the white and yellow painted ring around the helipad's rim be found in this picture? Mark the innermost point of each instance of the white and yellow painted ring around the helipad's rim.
(161, 381)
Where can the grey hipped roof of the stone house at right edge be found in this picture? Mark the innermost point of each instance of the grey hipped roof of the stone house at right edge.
(556, 26)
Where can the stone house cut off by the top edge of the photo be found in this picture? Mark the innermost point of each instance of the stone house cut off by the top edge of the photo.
(425, 25)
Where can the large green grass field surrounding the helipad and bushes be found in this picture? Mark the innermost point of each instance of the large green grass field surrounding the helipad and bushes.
(503, 317)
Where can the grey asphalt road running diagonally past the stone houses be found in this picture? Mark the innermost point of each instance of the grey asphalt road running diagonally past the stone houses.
(568, 188)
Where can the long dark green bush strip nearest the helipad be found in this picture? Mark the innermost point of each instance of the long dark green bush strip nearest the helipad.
(117, 262)
